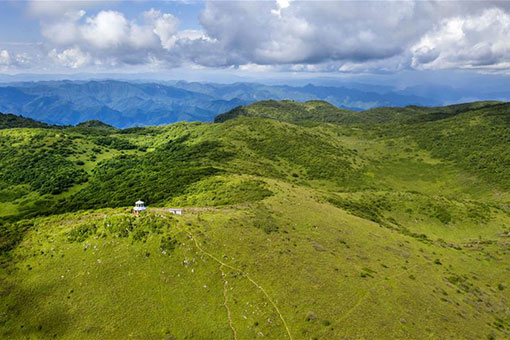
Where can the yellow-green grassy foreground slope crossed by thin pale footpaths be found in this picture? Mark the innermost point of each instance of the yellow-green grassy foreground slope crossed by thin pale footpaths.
(111, 284)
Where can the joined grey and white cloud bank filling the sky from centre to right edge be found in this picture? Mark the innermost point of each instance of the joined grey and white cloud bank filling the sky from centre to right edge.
(356, 36)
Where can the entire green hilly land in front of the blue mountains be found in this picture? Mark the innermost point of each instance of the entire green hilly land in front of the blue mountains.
(292, 228)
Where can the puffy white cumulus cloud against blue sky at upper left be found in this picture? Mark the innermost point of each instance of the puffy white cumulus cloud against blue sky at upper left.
(109, 38)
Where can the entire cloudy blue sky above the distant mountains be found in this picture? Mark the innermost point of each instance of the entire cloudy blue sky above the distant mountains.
(450, 40)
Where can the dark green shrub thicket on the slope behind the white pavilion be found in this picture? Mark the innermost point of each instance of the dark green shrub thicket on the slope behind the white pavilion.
(155, 177)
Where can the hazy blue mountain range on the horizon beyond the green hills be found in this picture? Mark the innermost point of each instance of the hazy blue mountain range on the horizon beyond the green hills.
(125, 104)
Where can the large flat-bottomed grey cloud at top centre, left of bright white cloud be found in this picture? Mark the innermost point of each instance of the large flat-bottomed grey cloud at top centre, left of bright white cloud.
(311, 32)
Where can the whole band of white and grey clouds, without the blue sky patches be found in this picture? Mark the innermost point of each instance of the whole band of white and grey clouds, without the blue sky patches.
(344, 36)
